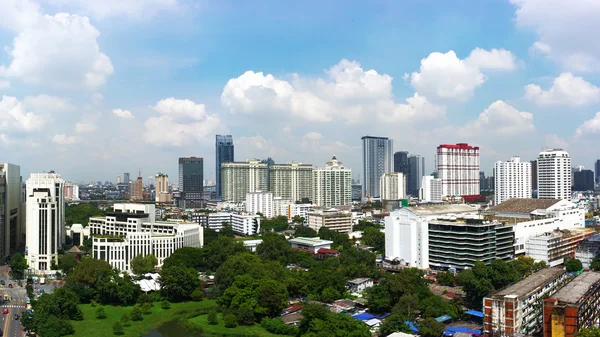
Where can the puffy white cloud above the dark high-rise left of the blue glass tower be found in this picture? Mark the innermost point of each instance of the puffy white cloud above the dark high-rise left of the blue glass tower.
(180, 123)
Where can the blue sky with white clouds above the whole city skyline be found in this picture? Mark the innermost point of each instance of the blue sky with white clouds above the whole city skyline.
(94, 89)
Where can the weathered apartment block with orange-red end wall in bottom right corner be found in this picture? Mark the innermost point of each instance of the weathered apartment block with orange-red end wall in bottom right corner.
(575, 306)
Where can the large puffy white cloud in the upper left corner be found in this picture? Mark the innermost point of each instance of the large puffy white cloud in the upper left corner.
(60, 49)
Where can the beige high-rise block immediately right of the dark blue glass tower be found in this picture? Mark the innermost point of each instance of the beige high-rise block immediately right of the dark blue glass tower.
(240, 178)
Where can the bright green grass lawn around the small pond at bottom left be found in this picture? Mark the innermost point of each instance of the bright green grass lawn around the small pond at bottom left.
(93, 327)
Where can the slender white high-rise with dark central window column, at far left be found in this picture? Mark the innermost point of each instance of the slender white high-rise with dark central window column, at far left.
(45, 218)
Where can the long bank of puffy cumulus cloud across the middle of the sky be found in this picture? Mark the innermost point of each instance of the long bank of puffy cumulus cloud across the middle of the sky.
(349, 93)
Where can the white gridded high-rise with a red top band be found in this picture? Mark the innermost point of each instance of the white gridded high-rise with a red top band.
(458, 167)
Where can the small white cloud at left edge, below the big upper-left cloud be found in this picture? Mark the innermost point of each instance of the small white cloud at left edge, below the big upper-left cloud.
(15, 117)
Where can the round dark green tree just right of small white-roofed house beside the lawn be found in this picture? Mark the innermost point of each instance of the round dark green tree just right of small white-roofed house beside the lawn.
(178, 282)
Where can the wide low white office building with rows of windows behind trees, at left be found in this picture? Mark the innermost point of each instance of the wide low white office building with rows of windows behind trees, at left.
(131, 230)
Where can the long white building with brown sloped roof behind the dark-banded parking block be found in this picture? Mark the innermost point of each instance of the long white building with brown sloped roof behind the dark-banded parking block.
(534, 217)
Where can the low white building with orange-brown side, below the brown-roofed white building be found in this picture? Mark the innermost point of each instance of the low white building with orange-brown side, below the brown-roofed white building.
(557, 246)
